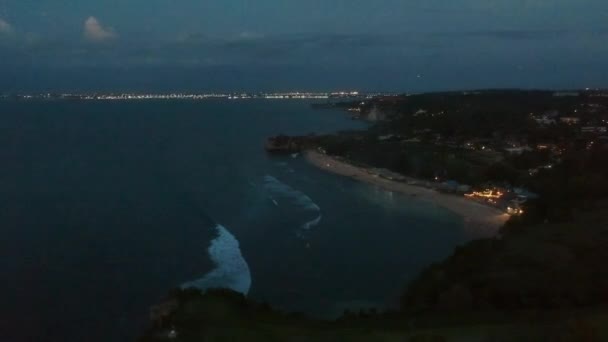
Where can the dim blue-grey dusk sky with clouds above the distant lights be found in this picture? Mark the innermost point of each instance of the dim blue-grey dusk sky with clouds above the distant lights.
(400, 45)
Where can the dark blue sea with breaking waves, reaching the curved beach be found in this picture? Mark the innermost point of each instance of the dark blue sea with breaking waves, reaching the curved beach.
(105, 206)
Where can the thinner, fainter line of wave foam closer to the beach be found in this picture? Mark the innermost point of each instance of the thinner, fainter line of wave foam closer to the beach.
(286, 193)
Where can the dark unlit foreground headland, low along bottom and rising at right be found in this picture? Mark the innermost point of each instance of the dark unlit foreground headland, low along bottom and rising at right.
(544, 282)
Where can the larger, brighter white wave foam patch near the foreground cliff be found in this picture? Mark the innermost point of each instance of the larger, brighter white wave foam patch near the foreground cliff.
(231, 271)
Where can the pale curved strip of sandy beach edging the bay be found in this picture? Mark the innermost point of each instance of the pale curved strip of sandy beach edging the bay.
(479, 217)
